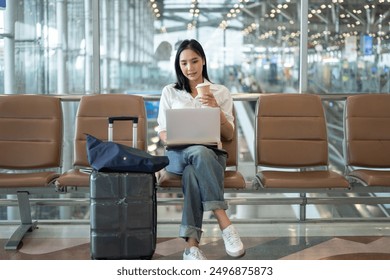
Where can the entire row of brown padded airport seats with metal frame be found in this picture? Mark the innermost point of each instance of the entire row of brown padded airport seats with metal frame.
(291, 147)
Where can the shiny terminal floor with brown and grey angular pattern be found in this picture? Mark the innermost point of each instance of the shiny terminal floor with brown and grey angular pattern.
(263, 241)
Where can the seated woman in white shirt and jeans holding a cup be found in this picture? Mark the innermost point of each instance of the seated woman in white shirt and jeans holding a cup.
(201, 168)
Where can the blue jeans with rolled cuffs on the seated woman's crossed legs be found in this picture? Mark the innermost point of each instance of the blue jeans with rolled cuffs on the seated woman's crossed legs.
(202, 170)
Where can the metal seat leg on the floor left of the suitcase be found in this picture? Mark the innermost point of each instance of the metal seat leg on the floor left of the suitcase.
(26, 222)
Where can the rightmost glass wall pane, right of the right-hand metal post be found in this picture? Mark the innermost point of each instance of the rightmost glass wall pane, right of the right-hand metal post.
(349, 46)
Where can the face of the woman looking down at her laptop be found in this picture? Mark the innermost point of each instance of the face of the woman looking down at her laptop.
(191, 64)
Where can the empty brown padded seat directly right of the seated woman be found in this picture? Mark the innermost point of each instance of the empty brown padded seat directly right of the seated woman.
(291, 133)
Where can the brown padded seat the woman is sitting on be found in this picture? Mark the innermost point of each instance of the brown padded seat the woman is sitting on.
(233, 179)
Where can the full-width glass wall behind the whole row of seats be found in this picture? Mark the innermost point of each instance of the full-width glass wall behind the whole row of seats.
(253, 45)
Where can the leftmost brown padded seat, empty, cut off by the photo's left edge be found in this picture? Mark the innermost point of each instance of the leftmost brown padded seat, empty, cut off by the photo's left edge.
(30, 138)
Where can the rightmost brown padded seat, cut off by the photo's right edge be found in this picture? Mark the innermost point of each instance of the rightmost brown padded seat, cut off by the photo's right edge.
(367, 134)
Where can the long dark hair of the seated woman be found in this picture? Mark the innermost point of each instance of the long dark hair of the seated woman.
(182, 81)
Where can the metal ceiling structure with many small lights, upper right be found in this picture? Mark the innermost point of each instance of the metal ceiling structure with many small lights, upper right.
(271, 22)
